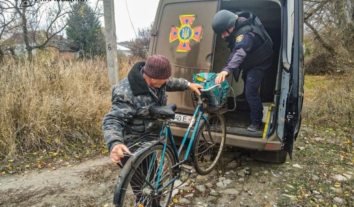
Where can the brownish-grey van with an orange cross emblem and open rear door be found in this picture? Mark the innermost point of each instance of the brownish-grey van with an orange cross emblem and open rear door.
(182, 32)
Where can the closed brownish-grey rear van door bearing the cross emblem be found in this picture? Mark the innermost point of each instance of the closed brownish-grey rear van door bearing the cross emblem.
(182, 32)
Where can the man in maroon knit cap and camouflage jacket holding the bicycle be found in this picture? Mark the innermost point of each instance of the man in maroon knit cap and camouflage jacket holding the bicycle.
(145, 86)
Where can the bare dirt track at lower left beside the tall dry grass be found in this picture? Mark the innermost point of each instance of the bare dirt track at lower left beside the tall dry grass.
(89, 183)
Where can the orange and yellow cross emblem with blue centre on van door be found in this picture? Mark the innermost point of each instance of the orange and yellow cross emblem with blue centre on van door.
(185, 32)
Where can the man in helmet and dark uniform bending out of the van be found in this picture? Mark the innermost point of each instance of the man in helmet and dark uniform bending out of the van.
(251, 52)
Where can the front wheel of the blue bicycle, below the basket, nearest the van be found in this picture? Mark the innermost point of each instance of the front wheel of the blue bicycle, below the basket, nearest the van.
(209, 144)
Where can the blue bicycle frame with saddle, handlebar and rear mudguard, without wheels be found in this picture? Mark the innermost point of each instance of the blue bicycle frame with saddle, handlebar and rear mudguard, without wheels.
(155, 189)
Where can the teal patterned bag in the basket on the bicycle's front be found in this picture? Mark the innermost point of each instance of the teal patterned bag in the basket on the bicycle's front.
(217, 96)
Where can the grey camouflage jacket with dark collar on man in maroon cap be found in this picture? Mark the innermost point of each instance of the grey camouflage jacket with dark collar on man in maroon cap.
(131, 99)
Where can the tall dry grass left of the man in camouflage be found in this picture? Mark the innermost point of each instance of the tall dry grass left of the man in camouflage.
(53, 106)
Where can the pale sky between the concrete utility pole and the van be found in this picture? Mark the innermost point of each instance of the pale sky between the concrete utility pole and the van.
(142, 14)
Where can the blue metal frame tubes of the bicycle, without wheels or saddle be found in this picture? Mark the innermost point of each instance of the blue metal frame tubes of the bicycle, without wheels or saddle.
(197, 116)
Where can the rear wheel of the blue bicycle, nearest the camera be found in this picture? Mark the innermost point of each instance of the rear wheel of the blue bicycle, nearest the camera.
(136, 184)
